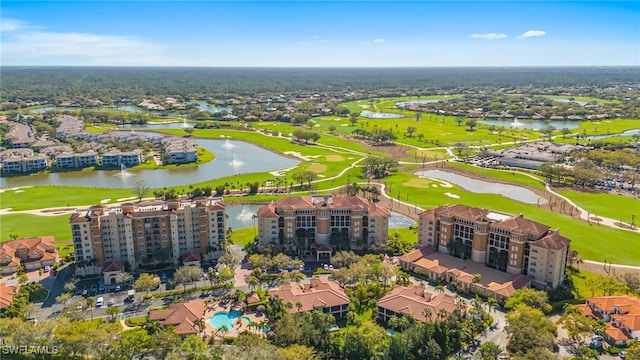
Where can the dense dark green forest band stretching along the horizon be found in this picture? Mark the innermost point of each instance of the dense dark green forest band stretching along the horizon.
(51, 83)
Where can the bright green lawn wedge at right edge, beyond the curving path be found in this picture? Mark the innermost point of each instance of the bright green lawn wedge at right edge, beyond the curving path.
(608, 205)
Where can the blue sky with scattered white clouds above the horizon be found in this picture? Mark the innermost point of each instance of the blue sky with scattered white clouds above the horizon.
(320, 33)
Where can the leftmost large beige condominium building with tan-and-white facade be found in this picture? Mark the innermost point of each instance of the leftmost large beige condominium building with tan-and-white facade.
(149, 232)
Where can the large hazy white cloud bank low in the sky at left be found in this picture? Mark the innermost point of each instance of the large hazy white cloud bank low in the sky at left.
(89, 49)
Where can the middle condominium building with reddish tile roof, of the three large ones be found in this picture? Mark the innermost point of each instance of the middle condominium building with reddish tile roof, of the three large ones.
(316, 225)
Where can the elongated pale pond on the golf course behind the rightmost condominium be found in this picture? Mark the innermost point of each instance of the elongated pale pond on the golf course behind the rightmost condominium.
(514, 192)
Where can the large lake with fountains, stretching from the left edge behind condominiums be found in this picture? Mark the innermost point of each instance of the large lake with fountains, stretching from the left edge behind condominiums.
(232, 157)
